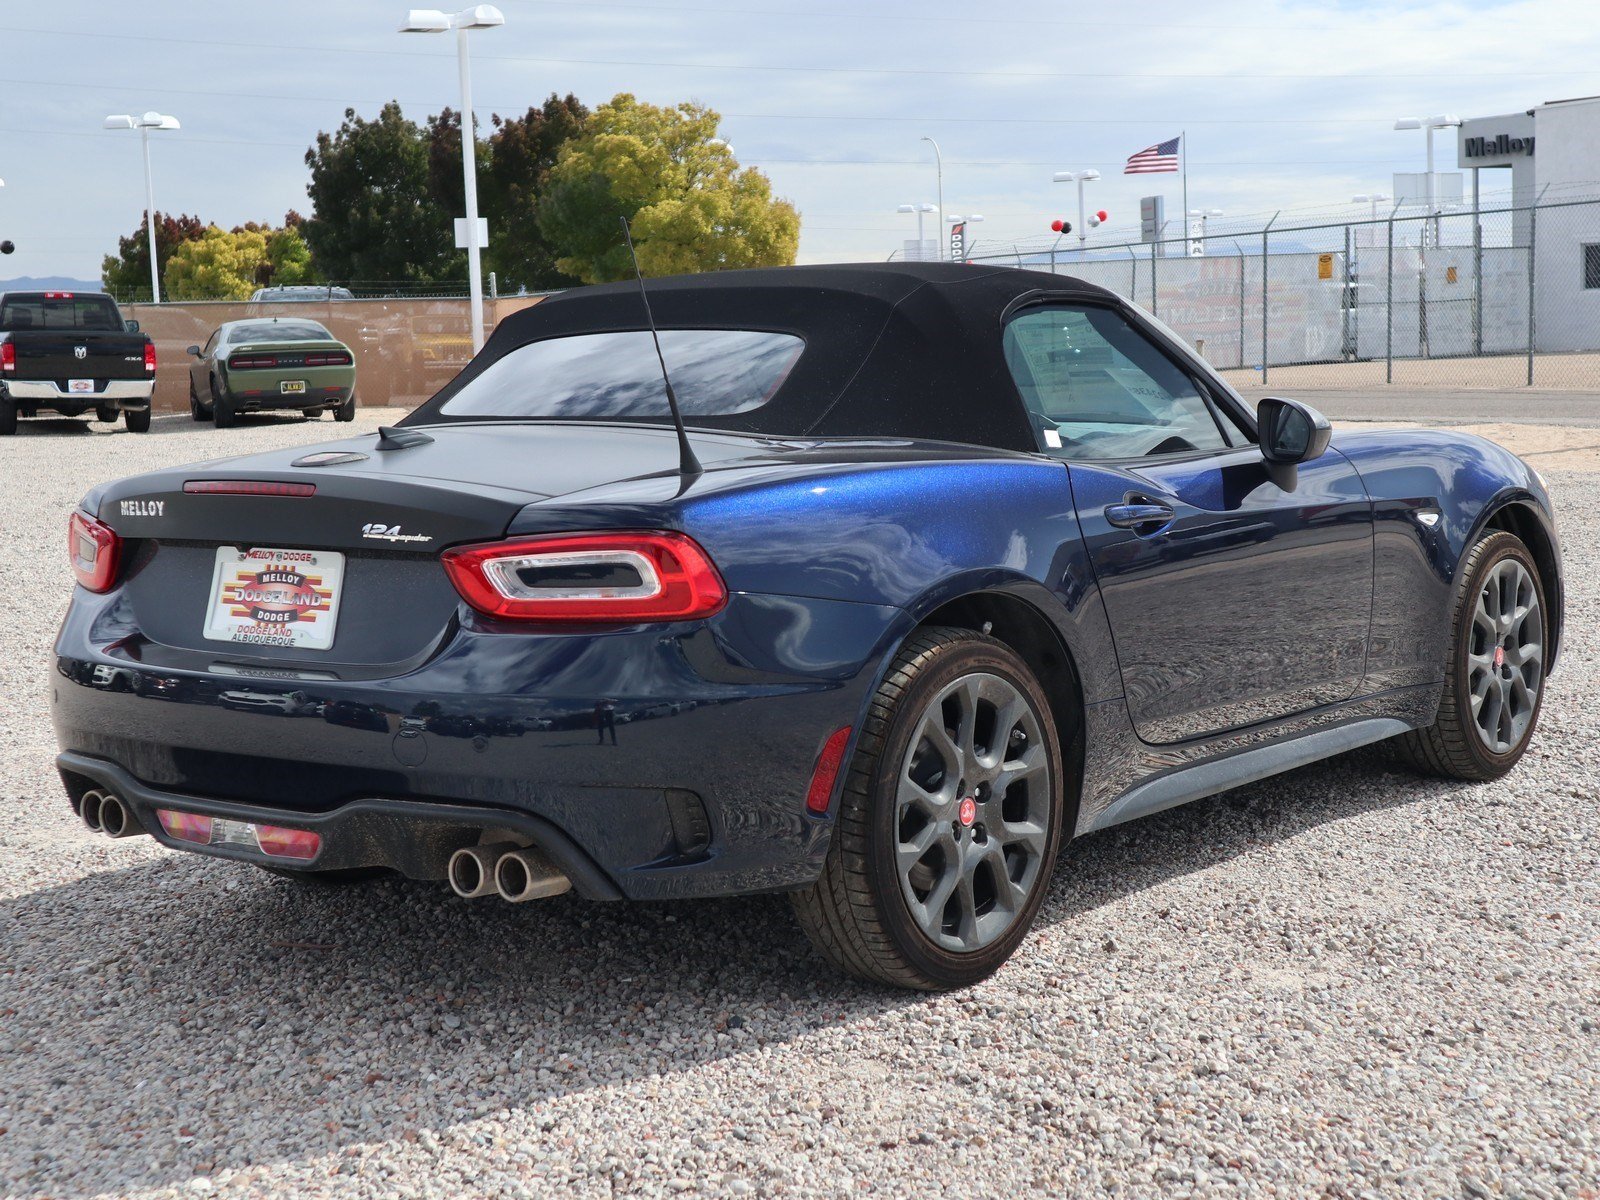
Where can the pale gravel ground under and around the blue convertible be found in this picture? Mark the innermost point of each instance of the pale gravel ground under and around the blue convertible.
(1342, 983)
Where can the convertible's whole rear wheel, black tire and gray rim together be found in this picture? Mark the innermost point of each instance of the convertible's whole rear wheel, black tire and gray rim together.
(948, 822)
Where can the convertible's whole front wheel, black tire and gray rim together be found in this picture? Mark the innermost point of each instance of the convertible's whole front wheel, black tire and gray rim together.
(1495, 673)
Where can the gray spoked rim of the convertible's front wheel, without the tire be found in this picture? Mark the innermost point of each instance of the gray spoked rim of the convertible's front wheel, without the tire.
(1506, 655)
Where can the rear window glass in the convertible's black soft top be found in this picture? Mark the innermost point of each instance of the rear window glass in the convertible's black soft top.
(617, 375)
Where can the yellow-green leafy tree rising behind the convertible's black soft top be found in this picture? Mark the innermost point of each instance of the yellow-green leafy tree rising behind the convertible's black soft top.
(687, 199)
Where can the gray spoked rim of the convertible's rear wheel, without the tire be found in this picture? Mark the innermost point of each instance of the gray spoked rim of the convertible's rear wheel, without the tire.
(974, 812)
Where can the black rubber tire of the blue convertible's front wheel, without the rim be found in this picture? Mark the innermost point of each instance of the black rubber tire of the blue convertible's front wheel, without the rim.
(1455, 746)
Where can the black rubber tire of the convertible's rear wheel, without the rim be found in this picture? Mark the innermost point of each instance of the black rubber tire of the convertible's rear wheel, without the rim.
(858, 913)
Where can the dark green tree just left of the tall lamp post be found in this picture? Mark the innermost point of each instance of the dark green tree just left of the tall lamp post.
(374, 212)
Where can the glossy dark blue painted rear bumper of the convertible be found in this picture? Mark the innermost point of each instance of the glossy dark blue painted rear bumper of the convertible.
(692, 785)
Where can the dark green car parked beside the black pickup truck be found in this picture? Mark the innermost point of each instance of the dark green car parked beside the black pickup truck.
(271, 362)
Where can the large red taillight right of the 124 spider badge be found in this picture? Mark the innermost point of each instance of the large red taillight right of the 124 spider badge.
(591, 577)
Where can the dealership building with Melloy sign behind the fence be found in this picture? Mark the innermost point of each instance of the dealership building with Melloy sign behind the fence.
(1553, 154)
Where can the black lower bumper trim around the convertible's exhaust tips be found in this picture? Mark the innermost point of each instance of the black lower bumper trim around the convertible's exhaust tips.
(415, 839)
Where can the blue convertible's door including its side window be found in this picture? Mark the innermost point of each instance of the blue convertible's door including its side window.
(1234, 594)
